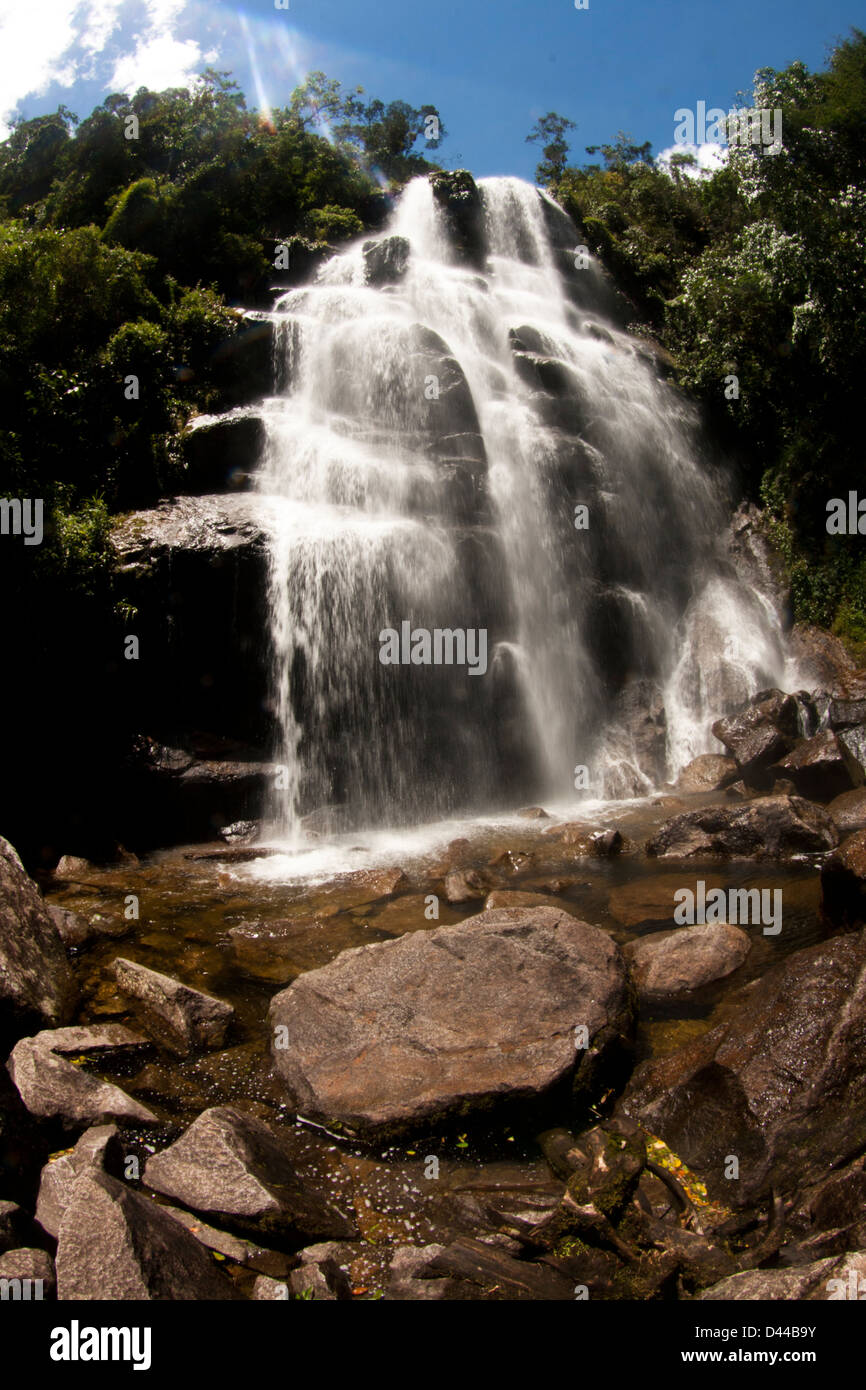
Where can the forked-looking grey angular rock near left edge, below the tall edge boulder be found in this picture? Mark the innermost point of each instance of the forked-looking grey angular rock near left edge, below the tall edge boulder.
(54, 1088)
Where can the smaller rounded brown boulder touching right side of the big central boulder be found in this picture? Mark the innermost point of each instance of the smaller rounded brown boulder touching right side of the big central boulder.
(672, 965)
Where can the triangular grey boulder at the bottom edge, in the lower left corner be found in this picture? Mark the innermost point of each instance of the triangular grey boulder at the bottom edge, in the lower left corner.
(117, 1245)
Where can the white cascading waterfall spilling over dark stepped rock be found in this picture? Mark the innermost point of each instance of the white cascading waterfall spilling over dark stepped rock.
(443, 419)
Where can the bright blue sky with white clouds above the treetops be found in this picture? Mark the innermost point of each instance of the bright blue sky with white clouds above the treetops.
(490, 66)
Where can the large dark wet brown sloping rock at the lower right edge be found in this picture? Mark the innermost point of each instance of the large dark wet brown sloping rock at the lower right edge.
(782, 1086)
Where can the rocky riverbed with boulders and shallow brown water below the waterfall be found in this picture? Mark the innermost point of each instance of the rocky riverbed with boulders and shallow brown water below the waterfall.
(490, 1060)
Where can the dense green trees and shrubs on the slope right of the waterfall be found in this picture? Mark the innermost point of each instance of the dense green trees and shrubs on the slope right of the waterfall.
(758, 272)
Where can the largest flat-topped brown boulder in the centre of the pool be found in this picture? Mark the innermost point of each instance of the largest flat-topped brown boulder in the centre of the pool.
(451, 1021)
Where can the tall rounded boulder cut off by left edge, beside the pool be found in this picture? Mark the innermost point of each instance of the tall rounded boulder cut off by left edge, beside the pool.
(35, 978)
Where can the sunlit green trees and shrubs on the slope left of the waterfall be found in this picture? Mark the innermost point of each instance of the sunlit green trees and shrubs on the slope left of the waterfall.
(117, 256)
